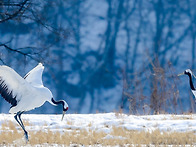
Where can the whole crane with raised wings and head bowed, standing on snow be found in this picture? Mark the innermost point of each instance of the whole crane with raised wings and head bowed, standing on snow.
(26, 93)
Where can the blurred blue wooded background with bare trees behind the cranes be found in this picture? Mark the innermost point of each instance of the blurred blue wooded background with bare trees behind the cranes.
(105, 55)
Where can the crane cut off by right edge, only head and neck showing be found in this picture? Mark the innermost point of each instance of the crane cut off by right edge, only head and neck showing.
(190, 74)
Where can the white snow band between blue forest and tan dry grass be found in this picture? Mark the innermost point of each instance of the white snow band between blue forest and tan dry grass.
(104, 122)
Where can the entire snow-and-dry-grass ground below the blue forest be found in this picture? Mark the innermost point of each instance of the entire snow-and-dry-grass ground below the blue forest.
(102, 129)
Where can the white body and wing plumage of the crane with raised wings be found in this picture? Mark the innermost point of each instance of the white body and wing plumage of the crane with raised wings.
(29, 92)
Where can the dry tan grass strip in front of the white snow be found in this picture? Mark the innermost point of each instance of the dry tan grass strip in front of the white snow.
(118, 136)
